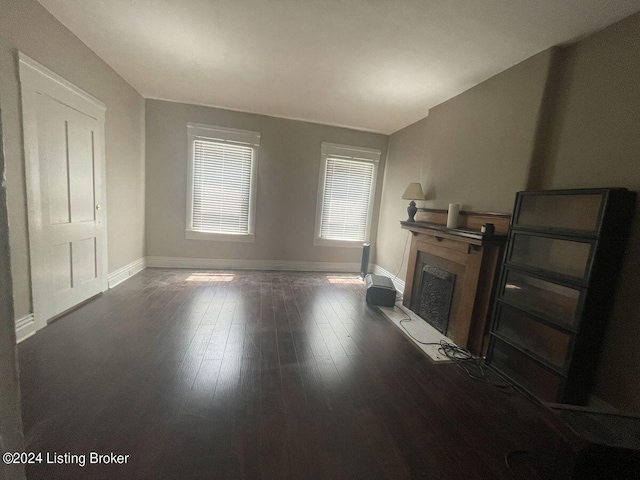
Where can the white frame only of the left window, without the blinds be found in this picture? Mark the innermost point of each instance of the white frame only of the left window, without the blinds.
(197, 131)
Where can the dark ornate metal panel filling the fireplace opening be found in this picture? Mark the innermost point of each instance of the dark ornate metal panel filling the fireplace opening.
(436, 295)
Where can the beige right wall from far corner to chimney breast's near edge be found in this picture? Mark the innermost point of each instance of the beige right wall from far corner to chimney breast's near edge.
(474, 149)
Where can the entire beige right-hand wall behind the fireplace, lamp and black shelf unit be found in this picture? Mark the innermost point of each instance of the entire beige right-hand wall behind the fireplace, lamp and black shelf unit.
(562, 119)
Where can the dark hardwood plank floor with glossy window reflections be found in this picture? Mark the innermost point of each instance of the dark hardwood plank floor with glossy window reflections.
(259, 375)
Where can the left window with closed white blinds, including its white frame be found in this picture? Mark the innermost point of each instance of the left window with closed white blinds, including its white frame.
(221, 196)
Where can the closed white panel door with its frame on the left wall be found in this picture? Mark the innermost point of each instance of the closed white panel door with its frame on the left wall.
(63, 130)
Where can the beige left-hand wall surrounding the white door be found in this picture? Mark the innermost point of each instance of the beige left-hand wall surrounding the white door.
(27, 27)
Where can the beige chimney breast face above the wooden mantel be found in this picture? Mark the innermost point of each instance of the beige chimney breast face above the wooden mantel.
(479, 144)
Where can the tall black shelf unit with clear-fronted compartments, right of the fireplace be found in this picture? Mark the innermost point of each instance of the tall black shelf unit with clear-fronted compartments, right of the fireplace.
(556, 289)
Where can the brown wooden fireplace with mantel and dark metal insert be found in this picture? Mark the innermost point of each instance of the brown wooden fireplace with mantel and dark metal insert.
(459, 266)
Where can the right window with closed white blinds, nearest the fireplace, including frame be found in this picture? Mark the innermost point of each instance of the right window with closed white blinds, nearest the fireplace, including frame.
(347, 189)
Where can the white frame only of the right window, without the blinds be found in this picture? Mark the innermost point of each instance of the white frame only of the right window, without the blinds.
(346, 152)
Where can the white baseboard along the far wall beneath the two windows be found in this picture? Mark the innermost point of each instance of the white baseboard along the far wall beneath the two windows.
(235, 264)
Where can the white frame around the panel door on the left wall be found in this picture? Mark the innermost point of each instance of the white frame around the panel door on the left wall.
(36, 79)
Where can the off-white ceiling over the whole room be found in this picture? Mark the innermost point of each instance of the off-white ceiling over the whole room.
(375, 65)
